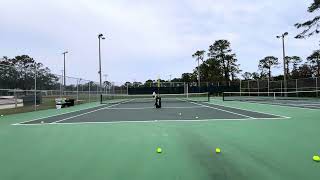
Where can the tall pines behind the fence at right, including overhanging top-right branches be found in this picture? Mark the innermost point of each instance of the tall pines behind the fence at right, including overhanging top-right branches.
(221, 64)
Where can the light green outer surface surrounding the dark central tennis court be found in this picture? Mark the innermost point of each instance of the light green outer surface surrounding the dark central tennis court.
(252, 148)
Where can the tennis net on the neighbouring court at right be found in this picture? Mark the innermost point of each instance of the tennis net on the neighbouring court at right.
(272, 96)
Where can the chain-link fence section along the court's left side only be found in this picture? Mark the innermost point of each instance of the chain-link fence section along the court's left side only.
(24, 89)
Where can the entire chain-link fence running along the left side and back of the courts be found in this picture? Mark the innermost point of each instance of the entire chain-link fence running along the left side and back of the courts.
(32, 88)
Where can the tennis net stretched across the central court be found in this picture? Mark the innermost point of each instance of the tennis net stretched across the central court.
(145, 98)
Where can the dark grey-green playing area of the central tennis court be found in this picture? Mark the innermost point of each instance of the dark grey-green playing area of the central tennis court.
(135, 110)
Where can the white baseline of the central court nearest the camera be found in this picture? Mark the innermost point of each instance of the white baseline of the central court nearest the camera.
(151, 121)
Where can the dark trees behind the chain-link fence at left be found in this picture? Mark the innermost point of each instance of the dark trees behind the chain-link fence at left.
(20, 73)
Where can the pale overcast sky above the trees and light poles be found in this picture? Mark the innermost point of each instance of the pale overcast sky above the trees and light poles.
(147, 38)
